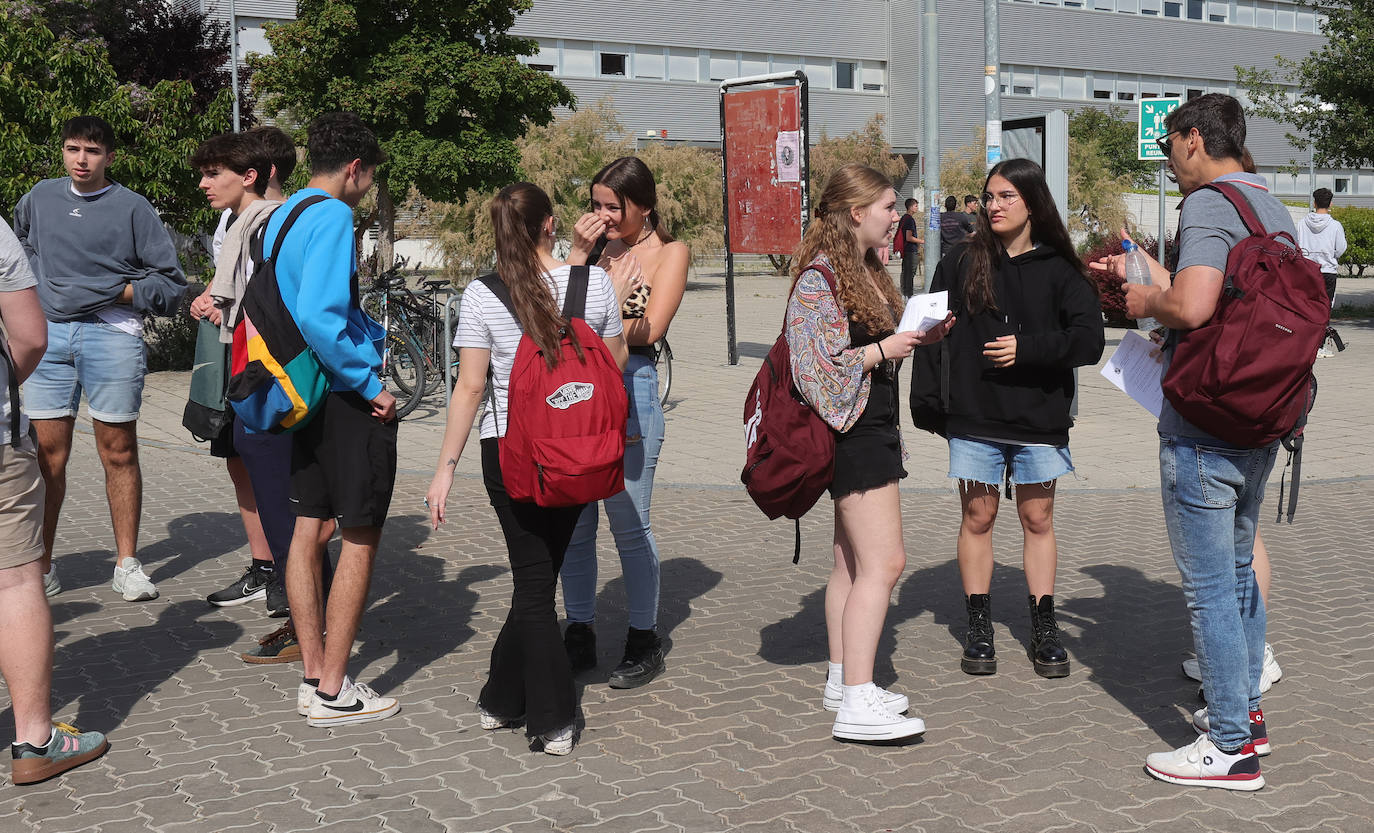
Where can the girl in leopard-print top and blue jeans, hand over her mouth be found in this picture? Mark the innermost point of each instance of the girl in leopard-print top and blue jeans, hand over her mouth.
(624, 219)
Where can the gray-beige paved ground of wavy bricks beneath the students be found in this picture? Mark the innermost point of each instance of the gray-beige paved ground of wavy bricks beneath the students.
(733, 736)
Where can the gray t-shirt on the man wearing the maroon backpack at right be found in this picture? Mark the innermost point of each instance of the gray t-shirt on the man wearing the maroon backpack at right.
(1208, 229)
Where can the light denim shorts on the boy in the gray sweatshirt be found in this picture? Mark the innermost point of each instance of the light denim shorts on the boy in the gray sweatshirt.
(94, 357)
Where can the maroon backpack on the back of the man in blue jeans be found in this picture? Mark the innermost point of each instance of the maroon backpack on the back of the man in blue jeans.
(1247, 375)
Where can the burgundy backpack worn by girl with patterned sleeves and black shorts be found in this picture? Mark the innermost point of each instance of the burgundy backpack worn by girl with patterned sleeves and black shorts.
(789, 449)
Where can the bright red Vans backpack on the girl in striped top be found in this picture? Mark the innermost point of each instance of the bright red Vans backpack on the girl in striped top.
(565, 425)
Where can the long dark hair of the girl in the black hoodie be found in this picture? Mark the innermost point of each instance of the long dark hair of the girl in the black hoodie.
(986, 248)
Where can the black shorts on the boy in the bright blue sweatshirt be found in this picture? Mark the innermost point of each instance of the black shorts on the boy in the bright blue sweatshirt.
(344, 464)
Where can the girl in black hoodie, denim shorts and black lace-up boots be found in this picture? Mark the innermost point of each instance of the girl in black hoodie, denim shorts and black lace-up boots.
(1000, 390)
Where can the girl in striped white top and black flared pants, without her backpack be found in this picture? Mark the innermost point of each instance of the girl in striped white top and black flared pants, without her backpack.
(530, 677)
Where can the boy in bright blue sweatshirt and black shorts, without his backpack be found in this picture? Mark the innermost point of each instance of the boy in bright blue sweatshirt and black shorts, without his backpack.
(343, 461)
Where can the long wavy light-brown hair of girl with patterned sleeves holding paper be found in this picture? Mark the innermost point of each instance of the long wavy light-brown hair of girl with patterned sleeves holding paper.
(866, 292)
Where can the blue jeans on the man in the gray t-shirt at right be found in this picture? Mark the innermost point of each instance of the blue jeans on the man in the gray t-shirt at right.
(1213, 497)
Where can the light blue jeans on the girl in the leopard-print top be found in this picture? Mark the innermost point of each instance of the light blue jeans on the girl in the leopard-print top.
(629, 513)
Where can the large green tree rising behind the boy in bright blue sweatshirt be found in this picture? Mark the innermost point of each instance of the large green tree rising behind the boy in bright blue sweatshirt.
(440, 83)
